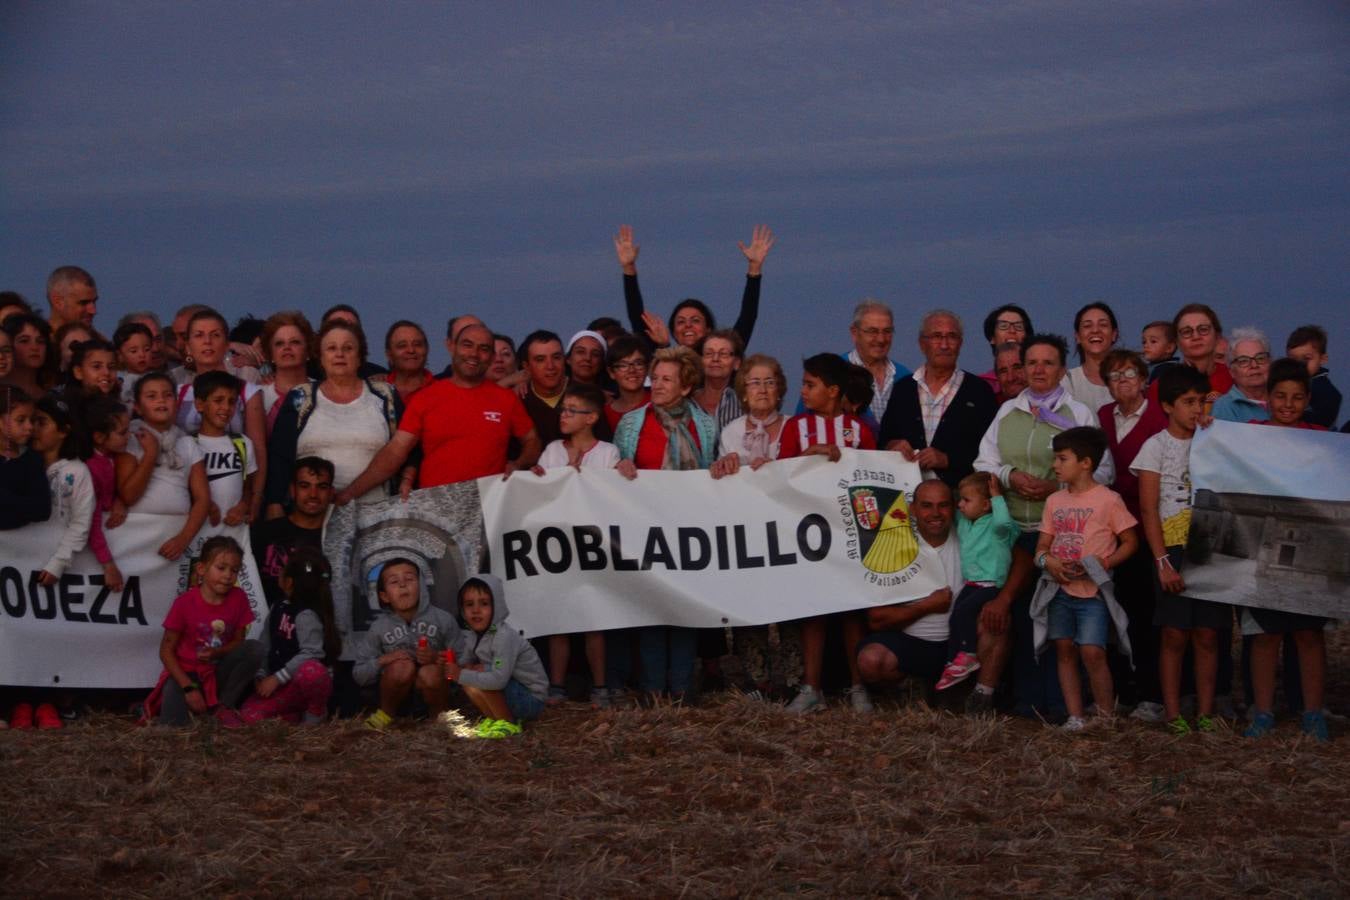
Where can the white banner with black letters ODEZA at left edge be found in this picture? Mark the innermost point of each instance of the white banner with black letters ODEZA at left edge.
(79, 634)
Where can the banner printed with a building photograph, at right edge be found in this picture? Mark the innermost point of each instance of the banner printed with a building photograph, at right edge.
(1271, 519)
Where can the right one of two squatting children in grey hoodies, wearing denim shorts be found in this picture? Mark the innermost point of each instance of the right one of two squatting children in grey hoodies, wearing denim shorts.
(497, 669)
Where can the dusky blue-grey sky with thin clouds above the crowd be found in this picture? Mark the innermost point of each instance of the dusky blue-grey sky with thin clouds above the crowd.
(430, 160)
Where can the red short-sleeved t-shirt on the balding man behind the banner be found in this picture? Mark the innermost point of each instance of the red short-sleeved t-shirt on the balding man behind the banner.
(464, 431)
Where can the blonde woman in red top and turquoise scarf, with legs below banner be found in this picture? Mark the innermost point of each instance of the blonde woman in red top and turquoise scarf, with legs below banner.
(669, 434)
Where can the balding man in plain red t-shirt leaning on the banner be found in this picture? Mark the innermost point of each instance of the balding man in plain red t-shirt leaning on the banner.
(464, 424)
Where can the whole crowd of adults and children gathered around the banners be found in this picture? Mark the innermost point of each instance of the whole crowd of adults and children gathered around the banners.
(1056, 497)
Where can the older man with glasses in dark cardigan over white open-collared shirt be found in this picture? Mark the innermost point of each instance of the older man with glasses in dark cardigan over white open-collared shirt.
(939, 416)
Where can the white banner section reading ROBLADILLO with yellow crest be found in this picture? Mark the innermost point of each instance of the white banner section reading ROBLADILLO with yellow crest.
(588, 550)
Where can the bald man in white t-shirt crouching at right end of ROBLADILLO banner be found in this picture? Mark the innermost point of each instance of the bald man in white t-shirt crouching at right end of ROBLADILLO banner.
(911, 639)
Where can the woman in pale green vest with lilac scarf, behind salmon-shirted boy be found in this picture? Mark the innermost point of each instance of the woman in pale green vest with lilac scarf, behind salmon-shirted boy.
(1017, 450)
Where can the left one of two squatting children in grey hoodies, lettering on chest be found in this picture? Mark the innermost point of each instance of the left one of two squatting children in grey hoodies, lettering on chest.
(406, 646)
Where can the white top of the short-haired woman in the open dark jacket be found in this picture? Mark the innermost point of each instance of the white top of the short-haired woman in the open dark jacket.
(349, 437)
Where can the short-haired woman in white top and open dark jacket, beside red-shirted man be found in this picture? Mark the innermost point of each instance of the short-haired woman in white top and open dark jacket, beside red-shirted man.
(345, 419)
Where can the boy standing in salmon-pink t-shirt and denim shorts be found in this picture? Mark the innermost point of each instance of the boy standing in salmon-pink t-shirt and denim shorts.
(1086, 532)
